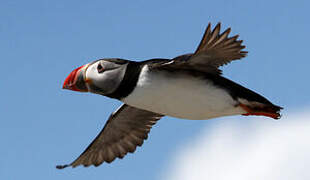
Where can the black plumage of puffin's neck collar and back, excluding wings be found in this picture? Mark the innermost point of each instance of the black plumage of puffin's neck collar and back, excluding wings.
(133, 70)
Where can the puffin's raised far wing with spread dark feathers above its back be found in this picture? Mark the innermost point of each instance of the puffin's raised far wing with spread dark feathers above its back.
(214, 50)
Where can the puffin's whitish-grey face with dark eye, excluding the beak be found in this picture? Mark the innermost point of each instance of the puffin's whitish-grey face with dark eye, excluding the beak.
(104, 76)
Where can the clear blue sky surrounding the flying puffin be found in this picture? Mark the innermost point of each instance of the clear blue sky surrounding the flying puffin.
(42, 41)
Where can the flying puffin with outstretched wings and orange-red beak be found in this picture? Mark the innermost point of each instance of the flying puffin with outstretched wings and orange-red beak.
(189, 86)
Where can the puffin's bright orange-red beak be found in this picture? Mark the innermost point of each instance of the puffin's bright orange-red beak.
(75, 80)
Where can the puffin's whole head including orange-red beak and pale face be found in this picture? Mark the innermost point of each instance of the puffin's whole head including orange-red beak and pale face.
(101, 77)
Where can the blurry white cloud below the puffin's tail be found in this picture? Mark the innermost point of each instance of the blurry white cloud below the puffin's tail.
(261, 149)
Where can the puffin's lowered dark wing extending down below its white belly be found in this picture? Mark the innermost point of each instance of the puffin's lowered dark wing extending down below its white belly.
(124, 131)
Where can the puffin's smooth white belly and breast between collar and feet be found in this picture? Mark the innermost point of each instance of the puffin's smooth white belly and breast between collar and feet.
(181, 96)
